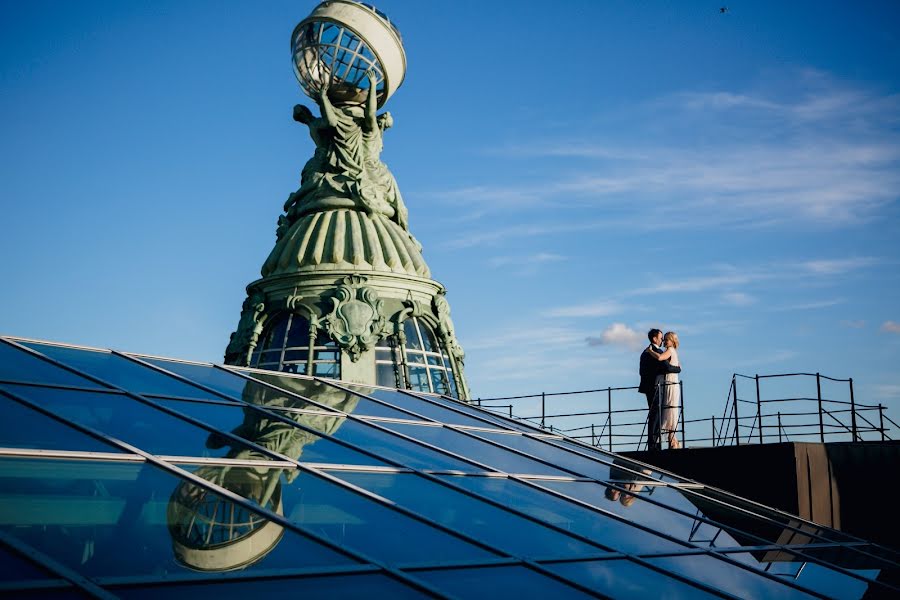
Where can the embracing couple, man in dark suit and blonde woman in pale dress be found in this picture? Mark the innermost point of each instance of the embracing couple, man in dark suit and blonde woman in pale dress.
(659, 383)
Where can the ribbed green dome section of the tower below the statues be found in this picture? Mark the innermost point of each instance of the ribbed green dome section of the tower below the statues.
(346, 239)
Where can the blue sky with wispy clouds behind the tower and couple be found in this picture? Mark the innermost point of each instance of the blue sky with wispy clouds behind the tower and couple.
(577, 172)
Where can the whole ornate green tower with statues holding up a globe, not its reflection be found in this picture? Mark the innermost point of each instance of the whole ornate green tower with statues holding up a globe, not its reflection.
(346, 293)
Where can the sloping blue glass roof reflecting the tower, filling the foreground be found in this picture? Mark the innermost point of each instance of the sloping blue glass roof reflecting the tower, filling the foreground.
(125, 475)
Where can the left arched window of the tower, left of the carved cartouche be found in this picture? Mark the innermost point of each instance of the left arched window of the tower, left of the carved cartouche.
(286, 347)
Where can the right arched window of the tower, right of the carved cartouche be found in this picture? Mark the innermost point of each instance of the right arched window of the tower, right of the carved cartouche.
(426, 368)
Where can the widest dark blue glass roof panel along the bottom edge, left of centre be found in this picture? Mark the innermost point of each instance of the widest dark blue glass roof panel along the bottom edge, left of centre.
(344, 585)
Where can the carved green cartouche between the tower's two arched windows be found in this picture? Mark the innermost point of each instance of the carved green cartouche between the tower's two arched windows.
(355, 321)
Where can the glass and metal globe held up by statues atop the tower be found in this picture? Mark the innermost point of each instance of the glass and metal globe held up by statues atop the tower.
(339, 43)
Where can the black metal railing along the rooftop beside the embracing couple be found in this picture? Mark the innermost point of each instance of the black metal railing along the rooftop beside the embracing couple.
(621, 422)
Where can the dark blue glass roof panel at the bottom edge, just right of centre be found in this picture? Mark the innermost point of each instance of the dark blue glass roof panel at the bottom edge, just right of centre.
(512, 583)
